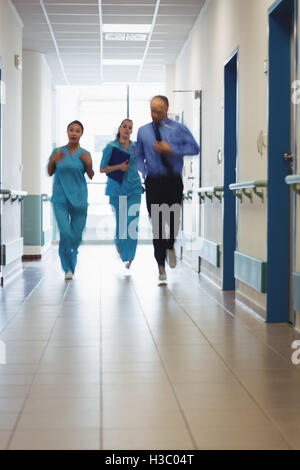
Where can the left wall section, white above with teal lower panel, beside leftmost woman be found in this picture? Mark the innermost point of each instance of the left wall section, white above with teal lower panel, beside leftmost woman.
(36, 148)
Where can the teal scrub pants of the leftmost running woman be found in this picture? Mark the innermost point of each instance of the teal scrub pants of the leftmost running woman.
(71, 223)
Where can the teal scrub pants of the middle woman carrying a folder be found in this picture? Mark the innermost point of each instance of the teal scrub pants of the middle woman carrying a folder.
(126, 236)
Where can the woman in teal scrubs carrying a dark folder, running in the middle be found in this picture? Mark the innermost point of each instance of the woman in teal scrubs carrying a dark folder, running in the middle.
(125, 196)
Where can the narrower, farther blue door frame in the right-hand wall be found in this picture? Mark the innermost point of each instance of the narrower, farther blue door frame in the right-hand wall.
(230, 165)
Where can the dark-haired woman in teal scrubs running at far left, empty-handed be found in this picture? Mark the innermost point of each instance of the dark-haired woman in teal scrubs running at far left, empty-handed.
(69, 196)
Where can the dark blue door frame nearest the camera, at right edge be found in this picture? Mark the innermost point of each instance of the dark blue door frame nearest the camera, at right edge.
(279, 132)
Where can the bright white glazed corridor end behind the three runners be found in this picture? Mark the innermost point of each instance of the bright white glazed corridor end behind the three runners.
(101, 109)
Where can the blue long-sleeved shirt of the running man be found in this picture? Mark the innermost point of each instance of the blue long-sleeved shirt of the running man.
(179, 138)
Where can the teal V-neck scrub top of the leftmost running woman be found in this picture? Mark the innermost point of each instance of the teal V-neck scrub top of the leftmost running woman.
(69, 183)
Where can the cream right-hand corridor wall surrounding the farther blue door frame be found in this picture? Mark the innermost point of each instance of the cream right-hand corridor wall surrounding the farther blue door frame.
(222, 27)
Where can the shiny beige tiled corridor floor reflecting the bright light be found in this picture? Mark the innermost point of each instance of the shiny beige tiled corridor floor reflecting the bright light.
(117, 361)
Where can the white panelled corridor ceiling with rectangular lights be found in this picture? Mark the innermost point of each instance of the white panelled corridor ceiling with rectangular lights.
(70, 34)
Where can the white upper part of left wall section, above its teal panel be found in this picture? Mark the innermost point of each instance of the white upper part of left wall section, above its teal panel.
(37, 122)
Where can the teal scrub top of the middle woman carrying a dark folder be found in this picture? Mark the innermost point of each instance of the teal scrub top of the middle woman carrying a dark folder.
(131, 184)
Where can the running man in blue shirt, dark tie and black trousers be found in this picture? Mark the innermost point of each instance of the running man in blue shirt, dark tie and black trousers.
(161, 146)
